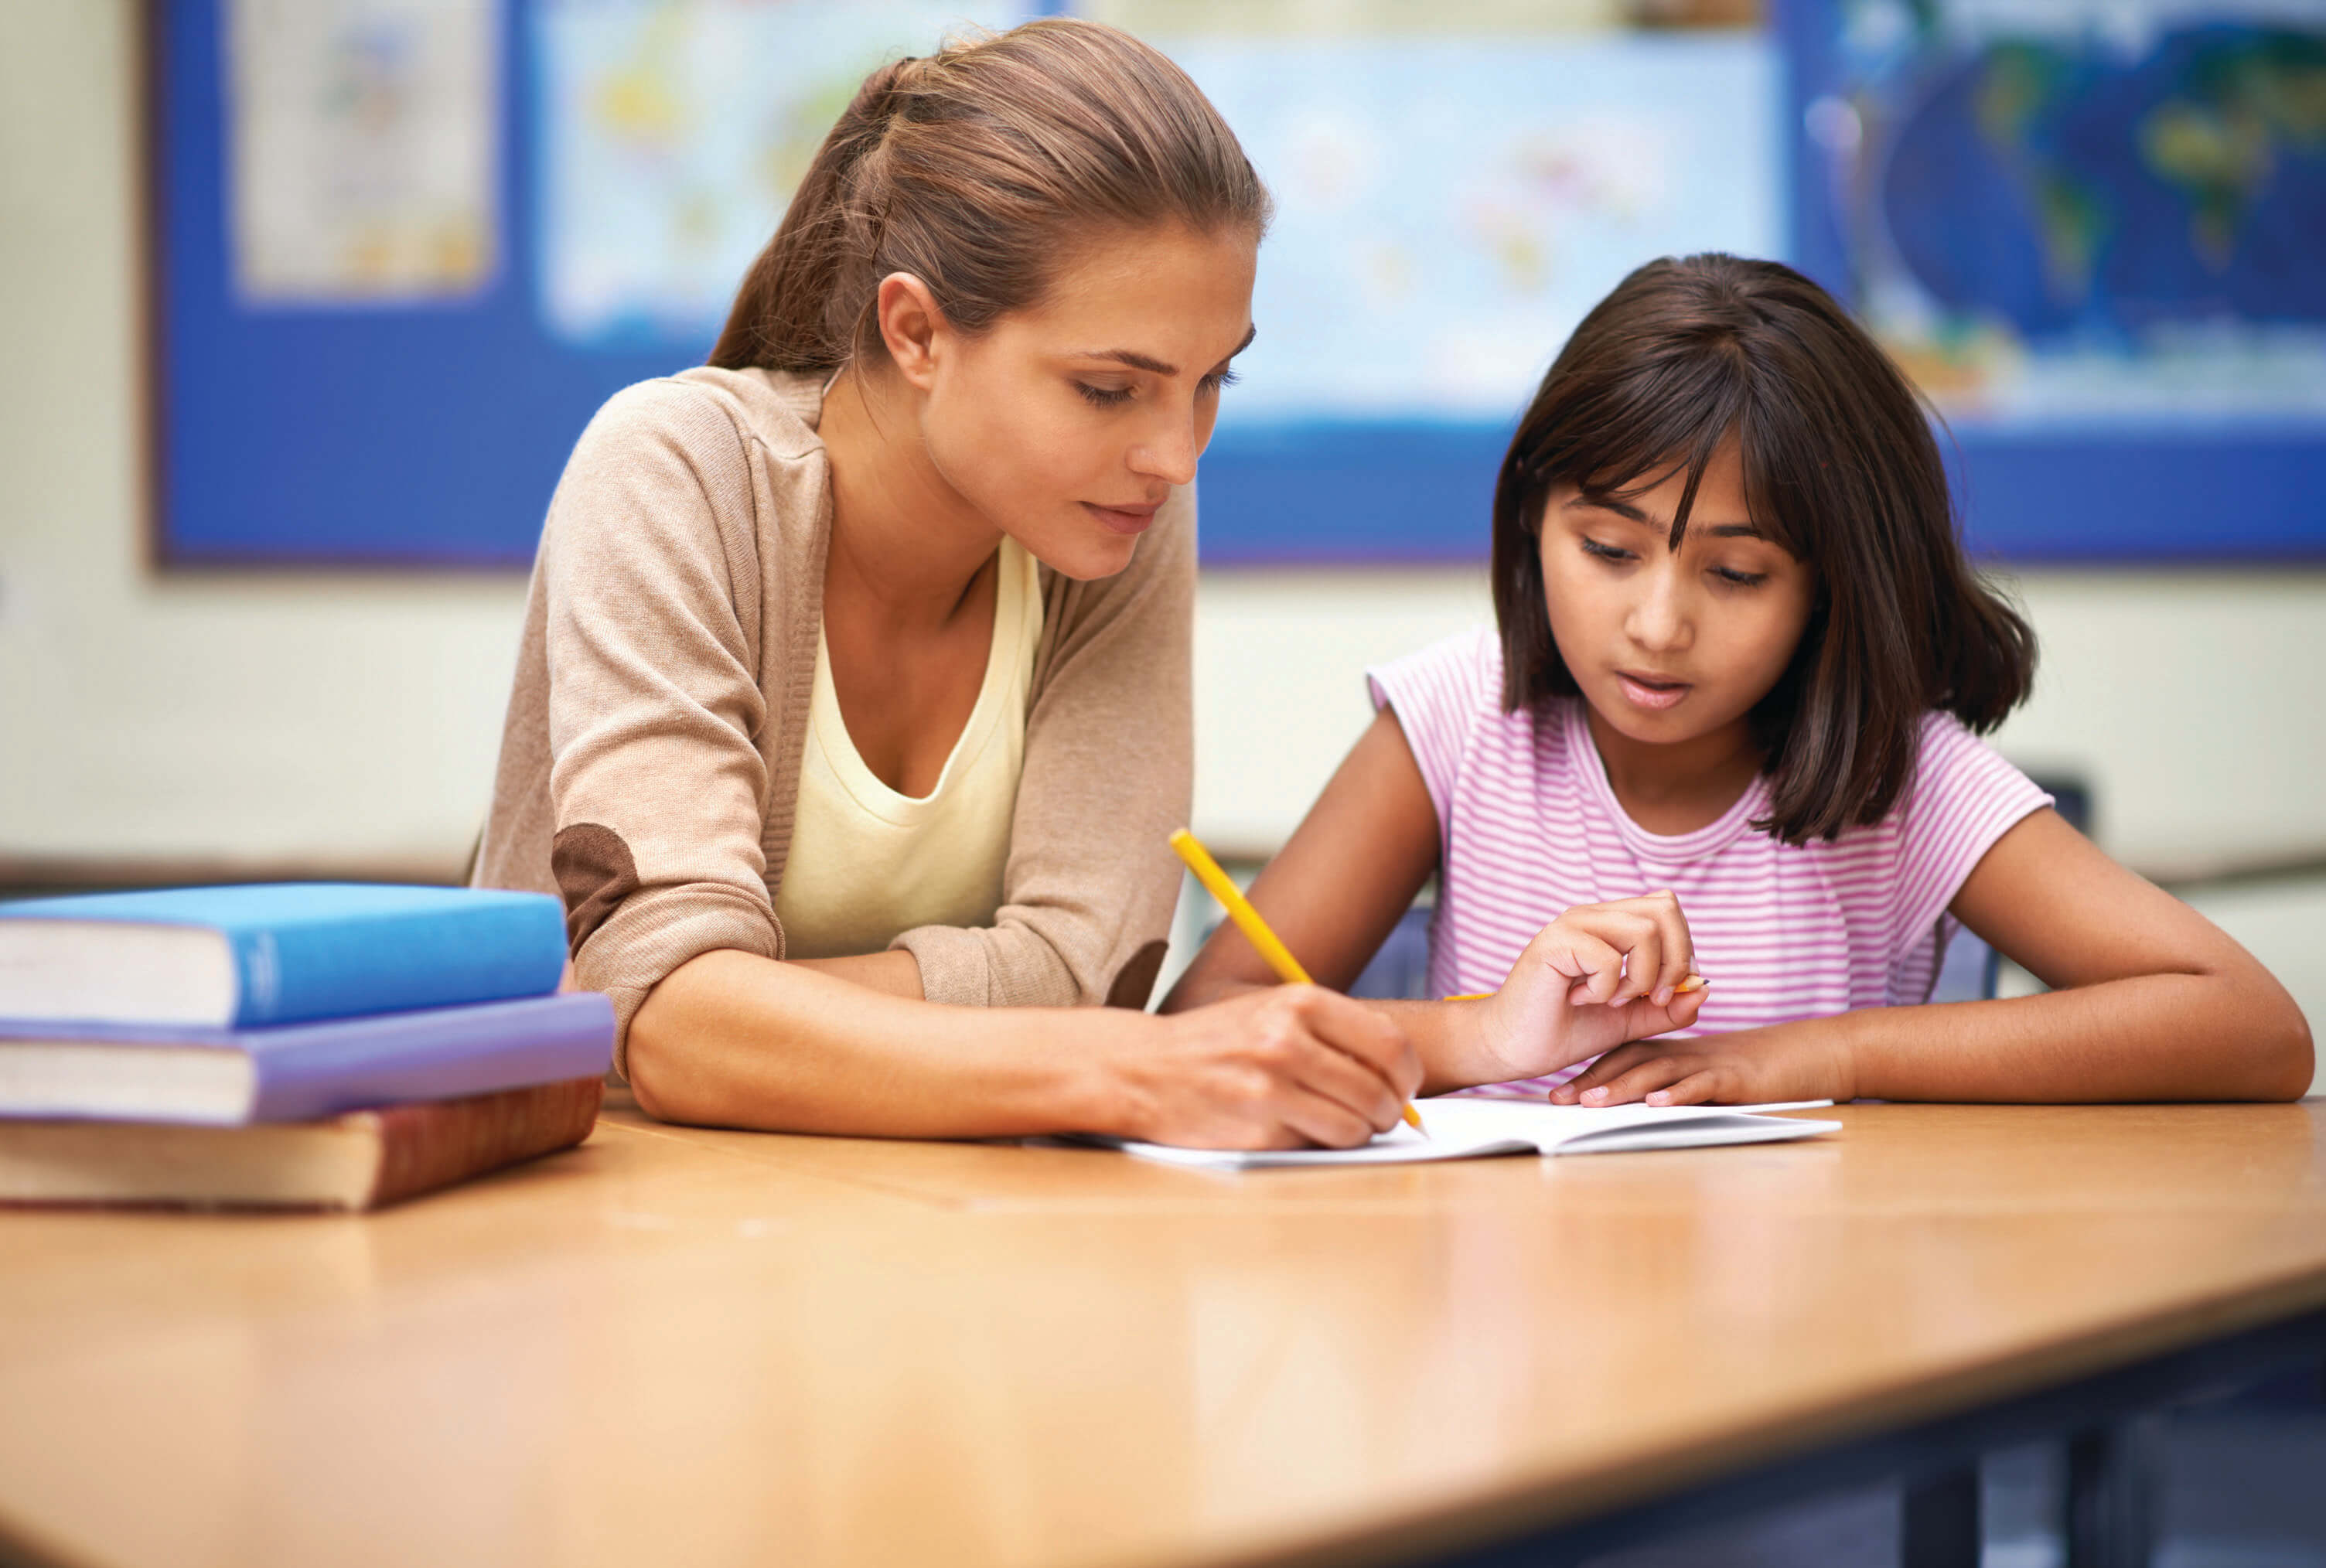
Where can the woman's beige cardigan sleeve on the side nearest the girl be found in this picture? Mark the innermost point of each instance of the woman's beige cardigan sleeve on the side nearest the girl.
(1092, 883)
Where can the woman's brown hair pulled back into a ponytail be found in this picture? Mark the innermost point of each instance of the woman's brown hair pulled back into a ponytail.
(978, 171)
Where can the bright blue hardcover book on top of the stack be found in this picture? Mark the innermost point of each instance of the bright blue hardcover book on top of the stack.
(243, 957)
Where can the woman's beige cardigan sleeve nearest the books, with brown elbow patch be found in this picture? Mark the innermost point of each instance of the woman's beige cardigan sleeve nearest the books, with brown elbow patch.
(657, 787)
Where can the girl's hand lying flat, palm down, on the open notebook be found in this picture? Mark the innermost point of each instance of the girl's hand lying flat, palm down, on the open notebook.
(1753, 1067)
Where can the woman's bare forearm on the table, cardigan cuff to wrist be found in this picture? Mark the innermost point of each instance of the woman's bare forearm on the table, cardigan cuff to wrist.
(741, 1041)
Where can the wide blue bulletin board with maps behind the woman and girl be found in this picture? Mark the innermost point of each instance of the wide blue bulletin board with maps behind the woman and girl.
(406, 248)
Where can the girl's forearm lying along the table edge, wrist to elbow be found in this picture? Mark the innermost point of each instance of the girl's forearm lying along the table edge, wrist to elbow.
(2139, 1039)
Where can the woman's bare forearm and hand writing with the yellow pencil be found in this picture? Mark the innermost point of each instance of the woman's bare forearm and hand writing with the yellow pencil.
(734, 1039)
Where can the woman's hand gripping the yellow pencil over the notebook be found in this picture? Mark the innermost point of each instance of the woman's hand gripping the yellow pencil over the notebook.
(1269, 1069)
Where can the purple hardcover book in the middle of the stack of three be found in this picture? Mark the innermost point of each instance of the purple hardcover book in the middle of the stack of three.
(301, 1071)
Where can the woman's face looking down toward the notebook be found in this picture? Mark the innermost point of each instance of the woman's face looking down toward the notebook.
(1071, 422)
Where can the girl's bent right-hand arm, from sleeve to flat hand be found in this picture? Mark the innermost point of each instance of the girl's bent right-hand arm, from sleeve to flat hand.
(2150, 1004)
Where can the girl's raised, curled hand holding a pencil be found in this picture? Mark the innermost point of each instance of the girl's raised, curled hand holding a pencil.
(1590, 981)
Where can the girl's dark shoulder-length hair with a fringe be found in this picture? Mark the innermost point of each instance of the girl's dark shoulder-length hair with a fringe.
(1841, 469)
